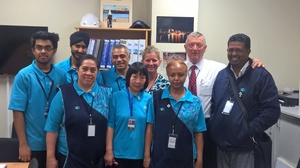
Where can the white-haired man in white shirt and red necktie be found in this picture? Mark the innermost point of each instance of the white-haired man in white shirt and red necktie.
(201, 77)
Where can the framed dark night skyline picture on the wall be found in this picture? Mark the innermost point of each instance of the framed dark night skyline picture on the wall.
(173, 29)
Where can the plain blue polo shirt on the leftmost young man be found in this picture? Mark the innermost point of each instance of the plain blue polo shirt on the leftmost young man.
(28, 96)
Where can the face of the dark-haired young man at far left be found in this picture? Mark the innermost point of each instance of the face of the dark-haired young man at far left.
(43, 52)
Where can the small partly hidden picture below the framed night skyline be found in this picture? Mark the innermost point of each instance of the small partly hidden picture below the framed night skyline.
(168, 56)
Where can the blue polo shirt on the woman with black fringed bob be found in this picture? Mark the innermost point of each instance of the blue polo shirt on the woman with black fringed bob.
(129, 144)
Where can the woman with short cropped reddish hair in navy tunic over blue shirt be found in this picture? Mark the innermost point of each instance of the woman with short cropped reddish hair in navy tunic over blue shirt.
(175, 122)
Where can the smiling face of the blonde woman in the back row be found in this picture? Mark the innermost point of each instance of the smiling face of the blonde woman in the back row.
(152, 62)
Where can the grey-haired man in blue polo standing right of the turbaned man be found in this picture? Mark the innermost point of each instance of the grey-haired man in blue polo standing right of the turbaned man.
(115, 76)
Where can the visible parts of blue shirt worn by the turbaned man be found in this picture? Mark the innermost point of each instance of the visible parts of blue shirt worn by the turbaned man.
(72, 75)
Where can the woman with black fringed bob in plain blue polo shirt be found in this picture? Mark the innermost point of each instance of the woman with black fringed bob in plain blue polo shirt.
(127, 120)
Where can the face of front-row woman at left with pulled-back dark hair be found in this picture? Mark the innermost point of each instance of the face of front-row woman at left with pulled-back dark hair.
(87, 73)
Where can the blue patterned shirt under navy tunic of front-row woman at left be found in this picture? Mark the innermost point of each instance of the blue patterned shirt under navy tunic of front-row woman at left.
(56, 118)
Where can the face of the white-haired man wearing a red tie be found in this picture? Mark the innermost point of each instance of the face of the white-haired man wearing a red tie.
(195, 47)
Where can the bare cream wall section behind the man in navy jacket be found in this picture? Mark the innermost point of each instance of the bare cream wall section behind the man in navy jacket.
(272, 25)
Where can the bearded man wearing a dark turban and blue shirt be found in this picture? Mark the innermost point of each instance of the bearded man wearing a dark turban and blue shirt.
(79, 42)
